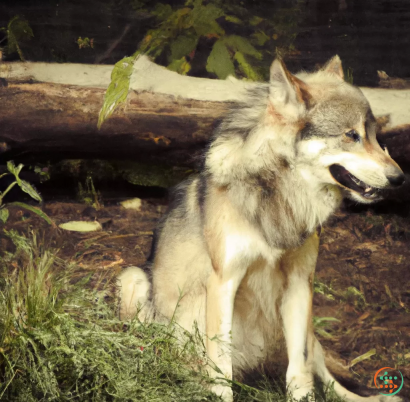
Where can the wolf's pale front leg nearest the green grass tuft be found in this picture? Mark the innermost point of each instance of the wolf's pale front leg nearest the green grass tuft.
(221, 291)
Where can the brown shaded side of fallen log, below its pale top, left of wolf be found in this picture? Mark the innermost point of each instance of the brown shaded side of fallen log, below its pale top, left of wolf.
(55, 121)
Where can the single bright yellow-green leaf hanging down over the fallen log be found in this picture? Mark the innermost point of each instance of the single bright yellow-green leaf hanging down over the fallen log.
(118, 89)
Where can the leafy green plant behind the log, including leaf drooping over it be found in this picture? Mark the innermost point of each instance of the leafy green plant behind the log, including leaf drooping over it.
(243, 39)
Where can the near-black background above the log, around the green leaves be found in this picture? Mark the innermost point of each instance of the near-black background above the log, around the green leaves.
(369, 35)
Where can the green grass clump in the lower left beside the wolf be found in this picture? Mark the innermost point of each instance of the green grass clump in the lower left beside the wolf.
(61, 340)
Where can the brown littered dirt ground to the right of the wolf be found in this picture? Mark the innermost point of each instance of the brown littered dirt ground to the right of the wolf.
(364, 260)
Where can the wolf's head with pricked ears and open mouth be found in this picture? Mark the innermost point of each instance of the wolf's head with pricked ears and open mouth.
(335, 131)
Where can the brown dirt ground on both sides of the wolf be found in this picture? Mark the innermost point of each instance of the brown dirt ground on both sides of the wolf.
(363, 272)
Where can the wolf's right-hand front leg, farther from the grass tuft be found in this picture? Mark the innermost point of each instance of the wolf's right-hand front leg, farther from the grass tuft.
(296, 311)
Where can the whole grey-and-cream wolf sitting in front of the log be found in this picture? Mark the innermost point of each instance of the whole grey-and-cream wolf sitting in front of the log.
(237, 250)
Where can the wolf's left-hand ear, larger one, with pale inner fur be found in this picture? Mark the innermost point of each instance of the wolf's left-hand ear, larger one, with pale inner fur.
(284, 87)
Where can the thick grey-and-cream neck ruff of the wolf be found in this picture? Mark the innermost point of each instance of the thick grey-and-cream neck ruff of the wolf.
(253, 156)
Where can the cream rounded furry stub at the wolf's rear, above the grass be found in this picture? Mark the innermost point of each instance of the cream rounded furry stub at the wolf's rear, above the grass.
(134, 289)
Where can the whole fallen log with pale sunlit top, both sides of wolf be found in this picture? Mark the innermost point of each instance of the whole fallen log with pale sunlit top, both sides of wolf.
(167, 118)
